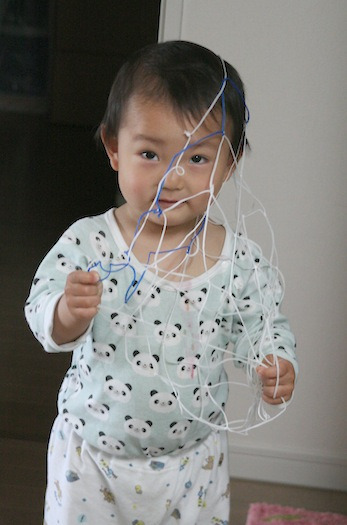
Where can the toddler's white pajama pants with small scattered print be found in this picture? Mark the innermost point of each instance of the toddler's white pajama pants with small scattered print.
(87, 485)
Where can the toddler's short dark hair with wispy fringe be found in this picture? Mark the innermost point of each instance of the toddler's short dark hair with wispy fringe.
(188, 75)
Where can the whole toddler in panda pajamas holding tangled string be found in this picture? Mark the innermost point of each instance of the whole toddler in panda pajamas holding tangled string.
(151, 298)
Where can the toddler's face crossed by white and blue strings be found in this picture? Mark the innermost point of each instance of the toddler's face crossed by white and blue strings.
(150, 136)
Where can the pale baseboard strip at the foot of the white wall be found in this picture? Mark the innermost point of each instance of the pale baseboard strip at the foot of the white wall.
(288, 467)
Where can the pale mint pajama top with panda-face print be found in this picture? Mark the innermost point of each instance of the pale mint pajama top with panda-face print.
(147, 377)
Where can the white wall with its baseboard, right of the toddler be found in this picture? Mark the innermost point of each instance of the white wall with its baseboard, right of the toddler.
(292, 58)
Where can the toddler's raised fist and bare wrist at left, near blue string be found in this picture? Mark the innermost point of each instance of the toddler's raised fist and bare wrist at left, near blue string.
(77, 306)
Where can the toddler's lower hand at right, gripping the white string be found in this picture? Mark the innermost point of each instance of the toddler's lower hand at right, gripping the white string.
(268, 376)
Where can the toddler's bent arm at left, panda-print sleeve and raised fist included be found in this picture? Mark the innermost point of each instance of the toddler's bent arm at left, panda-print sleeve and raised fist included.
(64, 297)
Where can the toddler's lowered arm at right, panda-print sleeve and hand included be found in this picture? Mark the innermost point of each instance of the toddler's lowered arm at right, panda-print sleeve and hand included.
(260, 332)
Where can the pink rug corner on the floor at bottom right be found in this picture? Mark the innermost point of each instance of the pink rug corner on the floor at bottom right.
(262, 514)
